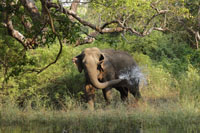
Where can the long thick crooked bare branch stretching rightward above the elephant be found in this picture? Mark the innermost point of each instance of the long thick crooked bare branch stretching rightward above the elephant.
(102, 29)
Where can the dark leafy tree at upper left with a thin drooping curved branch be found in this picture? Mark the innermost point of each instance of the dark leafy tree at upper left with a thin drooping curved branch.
(32, 24)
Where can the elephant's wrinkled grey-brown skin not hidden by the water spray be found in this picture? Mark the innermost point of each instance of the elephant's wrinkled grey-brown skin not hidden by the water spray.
(102, 69)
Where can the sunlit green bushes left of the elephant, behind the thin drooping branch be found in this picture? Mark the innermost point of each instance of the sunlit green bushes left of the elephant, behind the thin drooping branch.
(53, 87)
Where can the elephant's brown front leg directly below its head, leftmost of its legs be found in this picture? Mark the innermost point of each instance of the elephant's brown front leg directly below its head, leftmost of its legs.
(90, 95)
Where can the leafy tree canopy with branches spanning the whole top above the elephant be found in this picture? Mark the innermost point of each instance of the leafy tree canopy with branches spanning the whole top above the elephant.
(38, 22)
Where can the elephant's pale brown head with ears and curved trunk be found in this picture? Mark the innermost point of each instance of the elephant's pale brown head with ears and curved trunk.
(89, 60)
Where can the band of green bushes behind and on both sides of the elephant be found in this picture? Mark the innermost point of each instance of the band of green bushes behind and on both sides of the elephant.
(171, 70)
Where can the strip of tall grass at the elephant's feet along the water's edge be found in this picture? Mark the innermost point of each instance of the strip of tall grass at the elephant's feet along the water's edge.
(153, 111)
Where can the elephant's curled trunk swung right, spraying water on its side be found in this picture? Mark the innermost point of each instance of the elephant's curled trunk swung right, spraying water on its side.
(93, 75)
